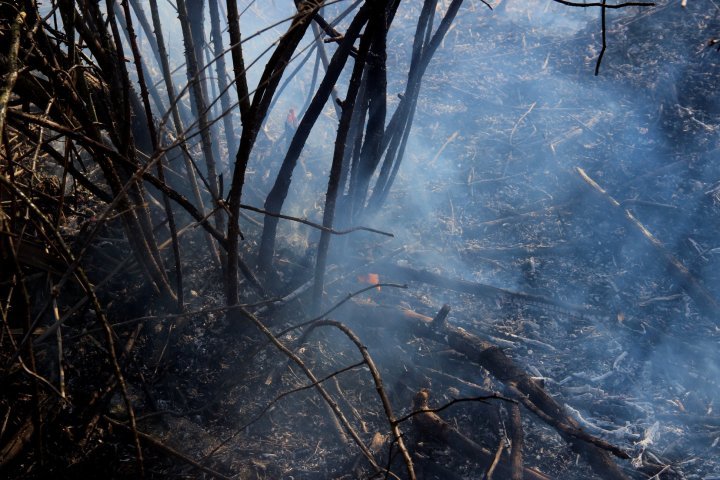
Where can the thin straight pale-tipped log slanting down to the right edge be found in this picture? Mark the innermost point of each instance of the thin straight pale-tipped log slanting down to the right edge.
(703, 299)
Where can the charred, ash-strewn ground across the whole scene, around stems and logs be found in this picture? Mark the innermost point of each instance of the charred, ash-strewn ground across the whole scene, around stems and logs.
(488, 194)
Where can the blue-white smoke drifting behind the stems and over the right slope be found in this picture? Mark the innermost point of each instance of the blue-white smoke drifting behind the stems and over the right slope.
(487, 191)
